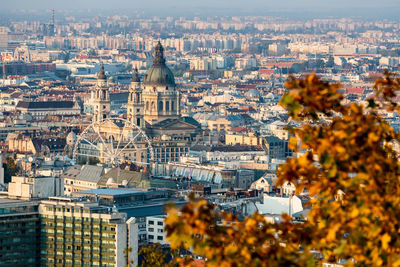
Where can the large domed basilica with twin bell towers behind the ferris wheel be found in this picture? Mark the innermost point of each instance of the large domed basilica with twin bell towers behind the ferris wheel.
(154, 106)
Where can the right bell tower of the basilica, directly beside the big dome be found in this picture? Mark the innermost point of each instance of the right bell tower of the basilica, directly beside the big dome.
(135, 106)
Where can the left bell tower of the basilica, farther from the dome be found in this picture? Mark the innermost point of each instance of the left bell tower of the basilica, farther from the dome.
(101, 103)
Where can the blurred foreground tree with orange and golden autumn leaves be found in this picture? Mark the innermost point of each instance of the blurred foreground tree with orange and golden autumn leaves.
(350, 153)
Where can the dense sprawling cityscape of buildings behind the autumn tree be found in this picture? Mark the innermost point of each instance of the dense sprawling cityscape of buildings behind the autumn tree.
(104, 119)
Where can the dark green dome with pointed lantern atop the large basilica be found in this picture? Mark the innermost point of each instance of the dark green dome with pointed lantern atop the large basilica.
(159, 73)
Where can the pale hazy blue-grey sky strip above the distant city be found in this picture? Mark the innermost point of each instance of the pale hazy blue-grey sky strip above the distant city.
(326, 7)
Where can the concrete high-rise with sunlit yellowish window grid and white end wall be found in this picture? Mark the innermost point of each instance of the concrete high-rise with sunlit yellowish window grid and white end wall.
(81, 233)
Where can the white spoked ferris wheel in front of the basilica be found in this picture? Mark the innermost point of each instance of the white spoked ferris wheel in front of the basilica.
(113, 141)
